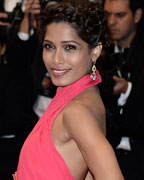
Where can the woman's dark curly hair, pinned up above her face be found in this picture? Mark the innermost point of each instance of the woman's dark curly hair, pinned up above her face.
(88, 19)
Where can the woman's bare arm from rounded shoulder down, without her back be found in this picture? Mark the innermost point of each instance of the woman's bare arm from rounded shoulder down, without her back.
(84, 127)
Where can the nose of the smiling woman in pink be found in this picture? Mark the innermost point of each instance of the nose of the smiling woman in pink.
(58, 57)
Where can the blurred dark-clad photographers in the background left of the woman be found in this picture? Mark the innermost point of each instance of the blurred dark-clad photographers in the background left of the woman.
(25, 85)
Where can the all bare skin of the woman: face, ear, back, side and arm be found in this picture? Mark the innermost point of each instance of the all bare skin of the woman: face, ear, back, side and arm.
(78, 131)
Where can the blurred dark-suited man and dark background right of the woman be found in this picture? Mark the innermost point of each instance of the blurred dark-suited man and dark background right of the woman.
(122, 69)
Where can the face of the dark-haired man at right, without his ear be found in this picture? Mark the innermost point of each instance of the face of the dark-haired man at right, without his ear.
(121, 21)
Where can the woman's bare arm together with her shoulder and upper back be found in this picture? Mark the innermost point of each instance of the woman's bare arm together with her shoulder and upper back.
(84, 121)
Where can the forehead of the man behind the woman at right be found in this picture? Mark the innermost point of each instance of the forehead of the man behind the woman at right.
(115, 6)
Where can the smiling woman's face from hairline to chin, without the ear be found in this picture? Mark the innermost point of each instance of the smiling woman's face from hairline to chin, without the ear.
(65, 54)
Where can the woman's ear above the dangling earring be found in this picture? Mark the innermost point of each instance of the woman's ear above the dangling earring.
(96, 52)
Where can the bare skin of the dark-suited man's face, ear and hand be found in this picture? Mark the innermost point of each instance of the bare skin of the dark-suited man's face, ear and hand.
(122, 23)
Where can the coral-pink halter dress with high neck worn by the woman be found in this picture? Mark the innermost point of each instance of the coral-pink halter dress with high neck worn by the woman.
(39, 159)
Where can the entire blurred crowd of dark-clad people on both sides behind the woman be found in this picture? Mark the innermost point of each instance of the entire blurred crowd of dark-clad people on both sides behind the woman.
(26, 88)
